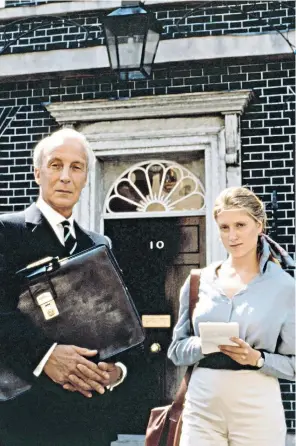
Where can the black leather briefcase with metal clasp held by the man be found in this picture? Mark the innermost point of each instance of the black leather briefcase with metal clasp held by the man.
(80, 300)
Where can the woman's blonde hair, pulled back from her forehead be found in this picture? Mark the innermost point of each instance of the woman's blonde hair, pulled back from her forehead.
(241, 198)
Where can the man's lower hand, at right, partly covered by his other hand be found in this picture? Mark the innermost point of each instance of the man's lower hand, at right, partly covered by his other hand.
(94, 377)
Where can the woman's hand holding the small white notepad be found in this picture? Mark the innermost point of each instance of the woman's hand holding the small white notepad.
(243, 354)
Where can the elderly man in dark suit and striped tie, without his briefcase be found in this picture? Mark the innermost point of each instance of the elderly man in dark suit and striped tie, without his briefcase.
(68, 403)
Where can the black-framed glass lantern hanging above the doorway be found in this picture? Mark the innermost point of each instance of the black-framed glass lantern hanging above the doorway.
(132, 37)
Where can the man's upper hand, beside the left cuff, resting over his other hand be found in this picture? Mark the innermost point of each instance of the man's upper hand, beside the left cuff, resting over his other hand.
(62, 368)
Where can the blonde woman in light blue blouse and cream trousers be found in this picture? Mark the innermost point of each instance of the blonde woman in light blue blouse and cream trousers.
(233, 398)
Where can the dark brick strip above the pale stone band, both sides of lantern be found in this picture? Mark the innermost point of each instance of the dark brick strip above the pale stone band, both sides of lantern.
(214, 18)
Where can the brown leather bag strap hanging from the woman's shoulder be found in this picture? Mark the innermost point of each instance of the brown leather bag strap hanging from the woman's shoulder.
(177, 405)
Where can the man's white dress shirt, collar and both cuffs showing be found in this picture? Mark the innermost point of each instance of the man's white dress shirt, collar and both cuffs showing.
(55, 219)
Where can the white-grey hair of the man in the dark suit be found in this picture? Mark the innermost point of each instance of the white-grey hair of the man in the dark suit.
(58, 138)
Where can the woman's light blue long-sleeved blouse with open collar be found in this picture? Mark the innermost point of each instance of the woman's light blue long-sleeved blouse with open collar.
(264, 309)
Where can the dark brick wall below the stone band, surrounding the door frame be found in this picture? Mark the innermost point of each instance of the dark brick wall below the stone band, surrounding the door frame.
(267, 125)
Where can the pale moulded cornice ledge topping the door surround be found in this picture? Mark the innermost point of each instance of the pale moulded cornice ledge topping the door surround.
(188, 104)
